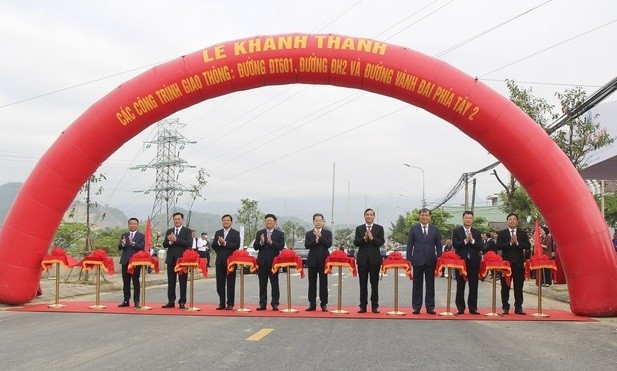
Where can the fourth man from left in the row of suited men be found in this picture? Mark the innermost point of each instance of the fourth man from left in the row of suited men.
(268, 242)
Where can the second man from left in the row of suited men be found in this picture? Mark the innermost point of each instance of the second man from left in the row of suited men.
(177, 240)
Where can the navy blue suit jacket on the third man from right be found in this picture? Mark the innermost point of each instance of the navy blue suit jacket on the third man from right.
(423, 250)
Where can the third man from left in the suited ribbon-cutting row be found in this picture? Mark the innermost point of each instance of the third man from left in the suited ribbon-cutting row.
(226, 241)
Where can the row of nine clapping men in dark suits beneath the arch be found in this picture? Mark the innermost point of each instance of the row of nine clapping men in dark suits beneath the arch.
(424, 247)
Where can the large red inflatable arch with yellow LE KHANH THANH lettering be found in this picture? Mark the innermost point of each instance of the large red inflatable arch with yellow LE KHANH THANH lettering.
(583, 238)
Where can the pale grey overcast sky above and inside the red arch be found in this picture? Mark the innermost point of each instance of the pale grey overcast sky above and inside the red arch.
(61, 57)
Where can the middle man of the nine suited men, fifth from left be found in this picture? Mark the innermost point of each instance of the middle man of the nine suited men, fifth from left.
(318, 241)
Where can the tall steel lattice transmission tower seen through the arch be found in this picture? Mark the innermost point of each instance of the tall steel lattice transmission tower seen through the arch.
(168, 164)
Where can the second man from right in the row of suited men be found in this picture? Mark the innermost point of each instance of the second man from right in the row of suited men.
(467, 242)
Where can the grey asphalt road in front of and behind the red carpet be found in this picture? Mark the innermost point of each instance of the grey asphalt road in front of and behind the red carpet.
(106, 341)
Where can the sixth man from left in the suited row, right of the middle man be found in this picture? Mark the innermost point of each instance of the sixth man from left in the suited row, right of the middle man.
(369, 238)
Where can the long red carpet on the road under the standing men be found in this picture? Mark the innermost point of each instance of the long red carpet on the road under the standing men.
(209, 310)
